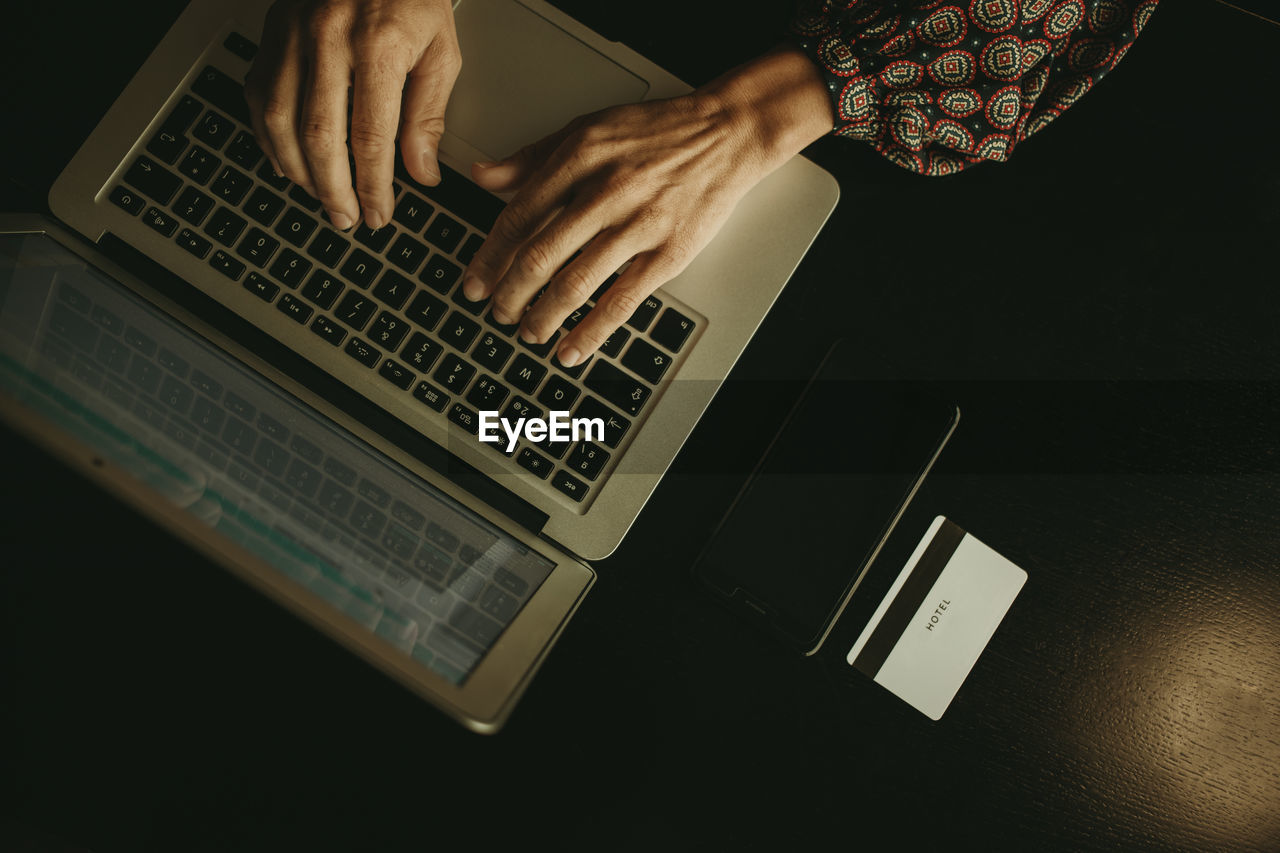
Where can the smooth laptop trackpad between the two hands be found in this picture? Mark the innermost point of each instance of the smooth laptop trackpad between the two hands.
(524, 77)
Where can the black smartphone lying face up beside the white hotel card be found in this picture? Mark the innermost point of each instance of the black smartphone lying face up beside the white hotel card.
(802, 533)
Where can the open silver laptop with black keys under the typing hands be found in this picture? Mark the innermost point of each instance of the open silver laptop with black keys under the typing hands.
(303, 405)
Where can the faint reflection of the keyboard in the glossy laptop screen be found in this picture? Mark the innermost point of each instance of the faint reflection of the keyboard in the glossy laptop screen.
(418, 572)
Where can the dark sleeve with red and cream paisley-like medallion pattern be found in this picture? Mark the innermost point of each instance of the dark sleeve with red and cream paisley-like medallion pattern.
(936, 86)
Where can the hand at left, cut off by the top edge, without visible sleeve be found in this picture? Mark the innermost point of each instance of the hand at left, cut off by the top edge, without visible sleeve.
(400, 60)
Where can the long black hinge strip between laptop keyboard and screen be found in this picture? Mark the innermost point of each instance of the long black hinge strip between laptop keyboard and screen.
(323, 385)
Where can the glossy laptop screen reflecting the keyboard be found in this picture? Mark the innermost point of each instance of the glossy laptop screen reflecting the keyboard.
(314, 501)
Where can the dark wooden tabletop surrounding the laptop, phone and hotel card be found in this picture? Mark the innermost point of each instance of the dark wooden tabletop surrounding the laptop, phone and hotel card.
(1104, 311)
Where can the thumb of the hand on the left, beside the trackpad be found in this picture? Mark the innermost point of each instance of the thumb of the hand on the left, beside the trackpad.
(427, 94)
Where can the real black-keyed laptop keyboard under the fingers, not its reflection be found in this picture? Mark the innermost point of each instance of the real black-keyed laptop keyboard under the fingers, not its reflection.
(391, 300)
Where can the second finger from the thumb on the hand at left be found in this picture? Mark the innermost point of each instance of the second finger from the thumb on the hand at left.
(324, 134)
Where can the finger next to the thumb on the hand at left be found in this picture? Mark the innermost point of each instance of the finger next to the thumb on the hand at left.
(374, 121)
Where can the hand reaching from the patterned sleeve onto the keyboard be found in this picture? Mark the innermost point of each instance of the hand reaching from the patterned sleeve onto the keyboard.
(648, 184)
